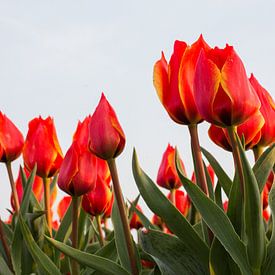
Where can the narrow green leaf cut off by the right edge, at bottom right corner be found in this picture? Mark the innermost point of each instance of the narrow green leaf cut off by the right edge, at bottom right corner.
(269, 265)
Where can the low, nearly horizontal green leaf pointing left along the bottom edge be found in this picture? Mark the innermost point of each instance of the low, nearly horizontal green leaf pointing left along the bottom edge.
(96, 262)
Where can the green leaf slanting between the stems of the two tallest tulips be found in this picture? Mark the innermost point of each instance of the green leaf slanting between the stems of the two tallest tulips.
(223, 178)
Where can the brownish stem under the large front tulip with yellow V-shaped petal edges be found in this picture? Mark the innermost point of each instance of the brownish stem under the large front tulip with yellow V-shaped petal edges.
(236, 155)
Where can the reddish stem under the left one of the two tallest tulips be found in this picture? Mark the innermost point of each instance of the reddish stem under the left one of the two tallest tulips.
(197, 157)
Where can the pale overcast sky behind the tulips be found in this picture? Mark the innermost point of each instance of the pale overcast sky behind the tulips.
(58, 56)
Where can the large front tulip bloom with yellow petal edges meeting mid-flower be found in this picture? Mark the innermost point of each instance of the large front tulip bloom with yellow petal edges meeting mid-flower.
(223, 93)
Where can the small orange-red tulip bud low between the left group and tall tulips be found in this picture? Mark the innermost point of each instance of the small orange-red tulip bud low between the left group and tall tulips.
(167, 175)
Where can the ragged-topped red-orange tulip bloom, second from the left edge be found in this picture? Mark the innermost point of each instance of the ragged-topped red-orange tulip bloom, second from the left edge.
(42, 148)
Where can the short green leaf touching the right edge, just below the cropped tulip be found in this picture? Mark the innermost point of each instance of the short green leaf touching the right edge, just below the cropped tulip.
(264, 166)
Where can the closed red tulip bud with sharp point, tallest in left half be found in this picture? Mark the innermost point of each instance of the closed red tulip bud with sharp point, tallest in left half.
(107, 139)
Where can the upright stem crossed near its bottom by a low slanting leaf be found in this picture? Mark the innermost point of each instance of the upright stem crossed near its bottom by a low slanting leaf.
(74, 236)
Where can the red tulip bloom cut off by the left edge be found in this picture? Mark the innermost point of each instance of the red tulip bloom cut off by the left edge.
(11, 140)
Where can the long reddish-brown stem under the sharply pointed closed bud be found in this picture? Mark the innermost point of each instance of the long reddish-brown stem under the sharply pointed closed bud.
(123, 217)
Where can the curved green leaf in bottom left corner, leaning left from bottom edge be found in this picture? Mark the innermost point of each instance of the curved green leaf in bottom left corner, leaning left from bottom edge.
(42, 260)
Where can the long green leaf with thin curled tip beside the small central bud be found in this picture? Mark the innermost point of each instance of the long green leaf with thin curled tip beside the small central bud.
(216, 220)
